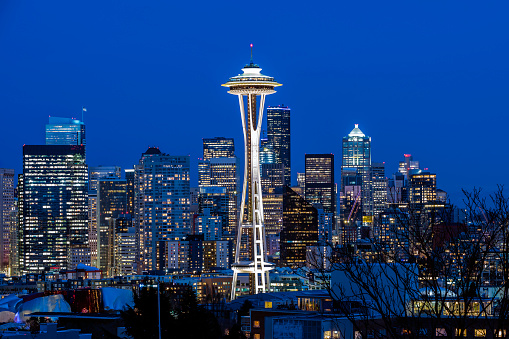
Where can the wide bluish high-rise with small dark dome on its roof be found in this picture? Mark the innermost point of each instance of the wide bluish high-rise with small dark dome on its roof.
(162, 205)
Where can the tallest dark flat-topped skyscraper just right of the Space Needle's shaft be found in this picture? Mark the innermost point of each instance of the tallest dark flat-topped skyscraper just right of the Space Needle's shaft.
(278, 134)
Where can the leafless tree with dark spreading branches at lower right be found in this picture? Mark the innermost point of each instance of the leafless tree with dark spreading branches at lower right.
(424, 275)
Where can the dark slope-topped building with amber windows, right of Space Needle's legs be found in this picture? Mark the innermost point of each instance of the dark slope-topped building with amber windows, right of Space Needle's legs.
(300, 228)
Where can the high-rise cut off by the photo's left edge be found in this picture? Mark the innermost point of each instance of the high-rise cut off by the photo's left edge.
(7, 223)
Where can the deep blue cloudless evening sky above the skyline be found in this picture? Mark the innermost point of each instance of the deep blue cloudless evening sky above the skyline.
(426, 78)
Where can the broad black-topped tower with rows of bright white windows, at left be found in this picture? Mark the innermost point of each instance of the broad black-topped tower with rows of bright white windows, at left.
(55, 208)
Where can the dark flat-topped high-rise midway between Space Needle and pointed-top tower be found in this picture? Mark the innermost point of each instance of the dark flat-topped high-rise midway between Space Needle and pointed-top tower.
(319, 182)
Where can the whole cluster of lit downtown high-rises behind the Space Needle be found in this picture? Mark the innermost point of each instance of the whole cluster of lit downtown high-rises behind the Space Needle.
(61, 212)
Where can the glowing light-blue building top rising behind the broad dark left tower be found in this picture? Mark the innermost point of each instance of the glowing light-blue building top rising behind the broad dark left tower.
(65, 131)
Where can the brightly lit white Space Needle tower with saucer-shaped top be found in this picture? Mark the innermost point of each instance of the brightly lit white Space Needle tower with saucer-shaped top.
(253, 260)
